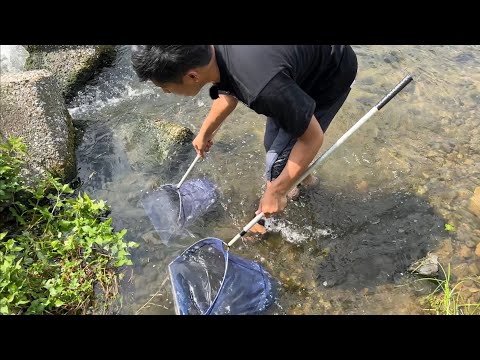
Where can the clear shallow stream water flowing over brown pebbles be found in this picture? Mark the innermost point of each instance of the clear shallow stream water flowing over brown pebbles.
(344, 247)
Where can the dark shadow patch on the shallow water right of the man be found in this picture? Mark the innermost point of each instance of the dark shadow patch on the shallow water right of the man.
(377, 236)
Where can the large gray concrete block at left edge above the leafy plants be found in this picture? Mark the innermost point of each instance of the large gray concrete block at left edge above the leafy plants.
(31, 107)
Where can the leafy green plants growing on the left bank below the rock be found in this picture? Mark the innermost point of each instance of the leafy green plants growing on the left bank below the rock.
(58, 251)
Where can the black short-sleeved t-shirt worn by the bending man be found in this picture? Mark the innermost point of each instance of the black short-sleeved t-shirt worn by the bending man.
(286, 82)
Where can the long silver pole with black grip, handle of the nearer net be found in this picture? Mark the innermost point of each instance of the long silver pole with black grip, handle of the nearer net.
(339, 142)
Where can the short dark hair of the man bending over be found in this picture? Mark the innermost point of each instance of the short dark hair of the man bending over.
(168, 63)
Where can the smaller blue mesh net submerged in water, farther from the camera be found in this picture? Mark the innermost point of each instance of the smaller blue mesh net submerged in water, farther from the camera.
(171, 210)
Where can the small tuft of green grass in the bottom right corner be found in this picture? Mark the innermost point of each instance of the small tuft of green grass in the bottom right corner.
(447, 299)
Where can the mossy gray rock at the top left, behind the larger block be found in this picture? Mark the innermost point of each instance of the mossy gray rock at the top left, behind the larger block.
(72, 65)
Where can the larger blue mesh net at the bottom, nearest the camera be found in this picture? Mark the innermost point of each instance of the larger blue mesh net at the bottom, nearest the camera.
(208, 280)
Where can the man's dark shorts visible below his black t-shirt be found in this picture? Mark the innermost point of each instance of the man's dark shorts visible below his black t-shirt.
(278, 143)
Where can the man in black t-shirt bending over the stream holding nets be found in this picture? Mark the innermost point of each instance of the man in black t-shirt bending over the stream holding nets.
(299, 88)
